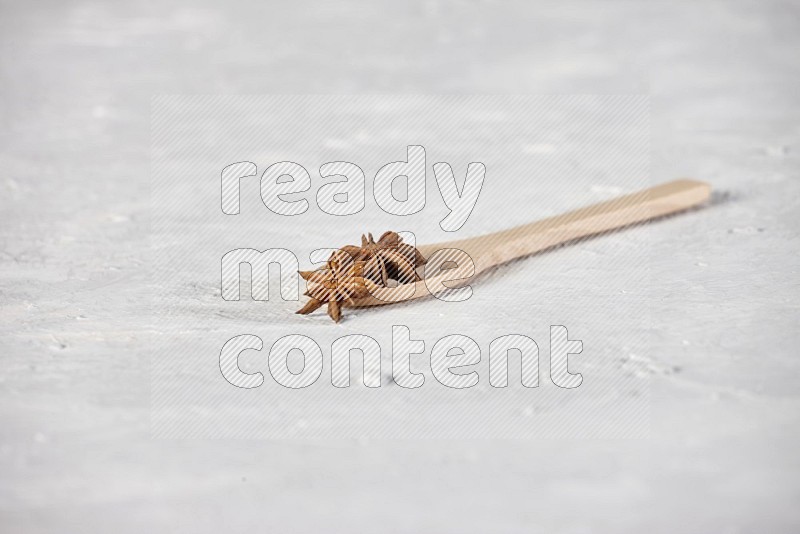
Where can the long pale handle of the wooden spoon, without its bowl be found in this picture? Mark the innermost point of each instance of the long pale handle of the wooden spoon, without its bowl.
(499, 247)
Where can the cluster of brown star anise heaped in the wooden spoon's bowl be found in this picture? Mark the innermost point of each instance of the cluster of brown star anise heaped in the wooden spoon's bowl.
(353, 272)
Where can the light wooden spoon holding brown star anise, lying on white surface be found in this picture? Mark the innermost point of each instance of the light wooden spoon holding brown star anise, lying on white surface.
(490, 250)
